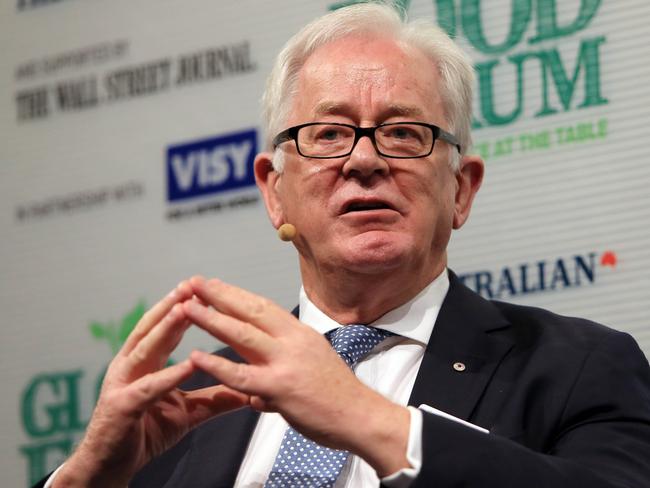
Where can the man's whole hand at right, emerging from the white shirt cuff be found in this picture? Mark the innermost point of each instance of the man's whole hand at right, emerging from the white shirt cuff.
(293, 370)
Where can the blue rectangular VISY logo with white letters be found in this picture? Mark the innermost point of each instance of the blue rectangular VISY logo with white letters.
(211, 166)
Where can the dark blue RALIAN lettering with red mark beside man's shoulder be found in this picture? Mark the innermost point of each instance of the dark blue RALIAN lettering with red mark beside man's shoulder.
(546, 275)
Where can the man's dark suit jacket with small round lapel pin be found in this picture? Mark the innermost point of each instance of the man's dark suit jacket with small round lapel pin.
(567, 403)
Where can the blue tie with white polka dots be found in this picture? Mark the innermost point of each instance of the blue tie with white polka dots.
(300, 461)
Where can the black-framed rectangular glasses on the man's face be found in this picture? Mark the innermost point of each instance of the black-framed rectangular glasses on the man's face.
(327, 140)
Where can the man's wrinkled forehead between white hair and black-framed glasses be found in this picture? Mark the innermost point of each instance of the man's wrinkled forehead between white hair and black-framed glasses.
(369, 77)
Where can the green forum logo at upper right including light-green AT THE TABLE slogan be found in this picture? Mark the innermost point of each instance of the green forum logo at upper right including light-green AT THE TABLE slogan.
(547, 58)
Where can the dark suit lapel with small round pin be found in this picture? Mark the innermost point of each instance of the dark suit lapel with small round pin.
(466, 332)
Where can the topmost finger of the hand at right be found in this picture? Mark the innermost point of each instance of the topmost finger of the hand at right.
(242, 304)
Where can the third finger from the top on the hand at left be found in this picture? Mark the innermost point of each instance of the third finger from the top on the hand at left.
(147, 390)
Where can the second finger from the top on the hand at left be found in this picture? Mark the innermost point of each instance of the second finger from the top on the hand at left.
(153, 350)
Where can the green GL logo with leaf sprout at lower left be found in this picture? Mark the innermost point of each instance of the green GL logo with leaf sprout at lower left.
(51, 403)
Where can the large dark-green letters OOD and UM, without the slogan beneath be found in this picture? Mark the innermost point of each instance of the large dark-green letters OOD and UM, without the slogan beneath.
(518, 51)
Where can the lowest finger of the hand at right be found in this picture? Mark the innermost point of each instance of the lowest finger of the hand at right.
(238, 376)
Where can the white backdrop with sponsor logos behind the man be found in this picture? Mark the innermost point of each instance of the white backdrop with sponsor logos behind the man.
(99, 97)
